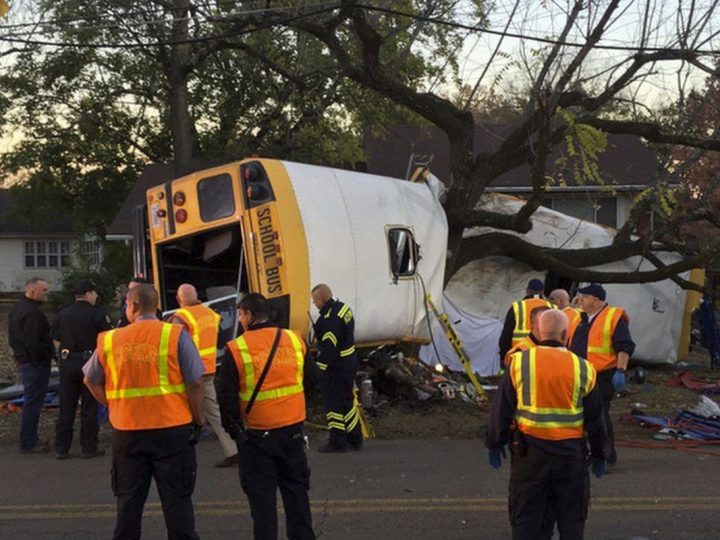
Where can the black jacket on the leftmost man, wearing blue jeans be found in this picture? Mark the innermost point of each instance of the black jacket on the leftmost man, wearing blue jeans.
(29, 332)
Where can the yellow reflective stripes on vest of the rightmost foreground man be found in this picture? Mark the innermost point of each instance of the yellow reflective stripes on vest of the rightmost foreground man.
(529, 413)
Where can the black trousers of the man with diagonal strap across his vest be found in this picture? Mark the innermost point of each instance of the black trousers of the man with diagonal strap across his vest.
(270, 460)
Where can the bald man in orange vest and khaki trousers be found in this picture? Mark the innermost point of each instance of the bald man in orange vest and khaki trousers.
(202, 323)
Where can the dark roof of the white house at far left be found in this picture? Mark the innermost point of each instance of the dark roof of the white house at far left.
(15, 221)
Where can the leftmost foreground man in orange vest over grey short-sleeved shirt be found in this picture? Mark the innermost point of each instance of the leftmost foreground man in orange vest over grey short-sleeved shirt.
(149, 374)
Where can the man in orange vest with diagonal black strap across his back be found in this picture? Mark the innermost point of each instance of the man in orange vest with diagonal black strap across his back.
(262, 403)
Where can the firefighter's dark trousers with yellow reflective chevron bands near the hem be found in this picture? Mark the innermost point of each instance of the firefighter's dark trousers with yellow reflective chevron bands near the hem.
(343, 417)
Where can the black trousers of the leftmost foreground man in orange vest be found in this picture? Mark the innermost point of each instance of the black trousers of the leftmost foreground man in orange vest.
(167, 456)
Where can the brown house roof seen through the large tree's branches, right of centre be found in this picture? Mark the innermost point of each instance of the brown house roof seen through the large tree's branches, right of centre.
(625, 162)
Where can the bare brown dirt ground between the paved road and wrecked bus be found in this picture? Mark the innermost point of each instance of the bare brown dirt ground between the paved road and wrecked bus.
(434, 419)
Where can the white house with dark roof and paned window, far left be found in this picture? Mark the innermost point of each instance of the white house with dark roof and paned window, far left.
(43, 250)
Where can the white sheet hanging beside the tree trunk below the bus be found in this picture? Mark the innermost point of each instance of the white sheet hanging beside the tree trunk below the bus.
(479, 336)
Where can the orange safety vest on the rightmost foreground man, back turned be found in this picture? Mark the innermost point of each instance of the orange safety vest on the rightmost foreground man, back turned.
(551, 383)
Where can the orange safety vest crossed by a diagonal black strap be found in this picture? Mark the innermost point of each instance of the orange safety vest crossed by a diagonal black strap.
(281, 399)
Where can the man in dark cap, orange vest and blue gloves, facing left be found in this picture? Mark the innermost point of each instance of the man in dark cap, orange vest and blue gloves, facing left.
(603, 337)
